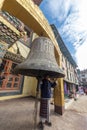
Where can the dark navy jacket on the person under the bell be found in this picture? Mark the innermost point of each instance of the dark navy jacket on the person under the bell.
(46, 88)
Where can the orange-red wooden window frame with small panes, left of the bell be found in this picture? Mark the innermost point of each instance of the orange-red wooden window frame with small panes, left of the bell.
(11, 80)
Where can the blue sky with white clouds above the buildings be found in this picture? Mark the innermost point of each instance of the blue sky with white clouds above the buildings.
(70, 17)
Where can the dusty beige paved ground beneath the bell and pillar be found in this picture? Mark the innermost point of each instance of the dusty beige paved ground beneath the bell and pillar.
(18, 114)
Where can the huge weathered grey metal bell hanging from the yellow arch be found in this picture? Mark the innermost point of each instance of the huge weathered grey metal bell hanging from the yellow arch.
(41, 60)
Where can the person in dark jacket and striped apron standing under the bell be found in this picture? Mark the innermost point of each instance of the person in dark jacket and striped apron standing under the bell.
(45, 88)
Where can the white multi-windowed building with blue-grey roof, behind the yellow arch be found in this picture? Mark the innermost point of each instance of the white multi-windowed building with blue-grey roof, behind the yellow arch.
(68, 64)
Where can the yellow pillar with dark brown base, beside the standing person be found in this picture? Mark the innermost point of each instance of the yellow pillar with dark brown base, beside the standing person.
(59, 97)
